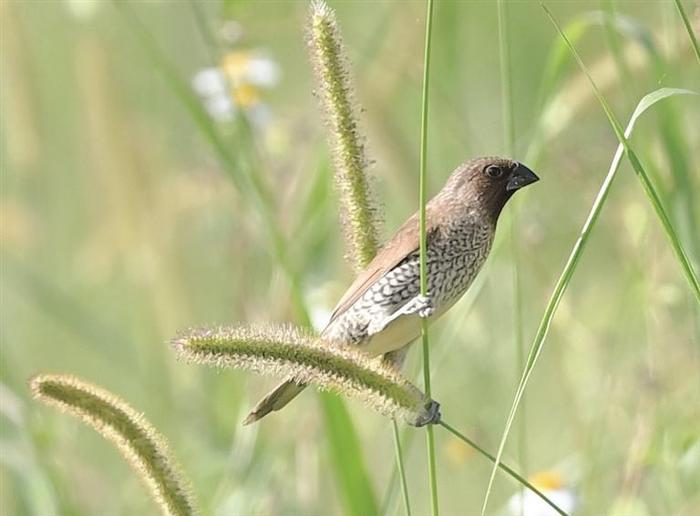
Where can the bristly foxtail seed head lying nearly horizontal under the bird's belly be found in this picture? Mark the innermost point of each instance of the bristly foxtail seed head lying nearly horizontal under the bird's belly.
(288, 351)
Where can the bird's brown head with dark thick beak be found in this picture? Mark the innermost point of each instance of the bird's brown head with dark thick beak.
(486, 183)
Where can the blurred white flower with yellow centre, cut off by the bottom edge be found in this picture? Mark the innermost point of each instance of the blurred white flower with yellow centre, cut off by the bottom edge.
(551, 485)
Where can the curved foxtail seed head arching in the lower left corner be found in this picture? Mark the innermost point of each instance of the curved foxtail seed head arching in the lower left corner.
(142, 446)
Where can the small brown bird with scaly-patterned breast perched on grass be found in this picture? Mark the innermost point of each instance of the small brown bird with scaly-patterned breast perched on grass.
(381, 310)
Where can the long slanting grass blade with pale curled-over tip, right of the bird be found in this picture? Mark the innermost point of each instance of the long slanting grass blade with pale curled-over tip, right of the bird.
(568, 271)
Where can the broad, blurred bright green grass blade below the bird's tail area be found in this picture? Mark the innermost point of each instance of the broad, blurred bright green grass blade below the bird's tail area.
(346, 453)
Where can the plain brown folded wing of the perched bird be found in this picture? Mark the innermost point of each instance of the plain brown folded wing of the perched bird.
(404, 242)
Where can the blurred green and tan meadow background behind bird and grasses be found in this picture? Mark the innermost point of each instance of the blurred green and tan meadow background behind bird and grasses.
(128, 214)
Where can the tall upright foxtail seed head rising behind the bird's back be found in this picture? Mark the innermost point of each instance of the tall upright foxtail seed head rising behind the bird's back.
(359, 212)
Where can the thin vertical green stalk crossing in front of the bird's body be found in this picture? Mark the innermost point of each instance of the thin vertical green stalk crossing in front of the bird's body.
(430, 437)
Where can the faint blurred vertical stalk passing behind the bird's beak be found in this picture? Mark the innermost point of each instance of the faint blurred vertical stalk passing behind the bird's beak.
(509, 143)
